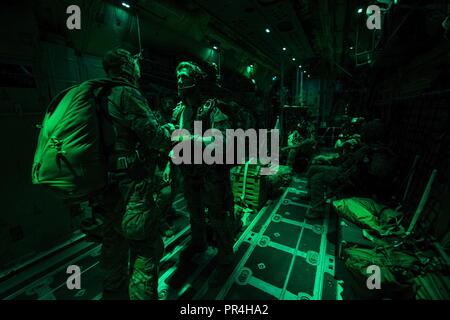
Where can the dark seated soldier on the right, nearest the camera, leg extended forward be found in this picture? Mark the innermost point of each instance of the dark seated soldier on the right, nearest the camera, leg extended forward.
(368, 171)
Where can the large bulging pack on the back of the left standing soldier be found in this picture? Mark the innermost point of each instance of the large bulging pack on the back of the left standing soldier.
(69, 157)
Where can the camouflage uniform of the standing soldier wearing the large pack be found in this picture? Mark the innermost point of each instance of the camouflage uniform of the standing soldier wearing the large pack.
(129, 204)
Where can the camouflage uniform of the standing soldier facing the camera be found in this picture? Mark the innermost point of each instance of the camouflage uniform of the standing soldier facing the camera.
(208, 186)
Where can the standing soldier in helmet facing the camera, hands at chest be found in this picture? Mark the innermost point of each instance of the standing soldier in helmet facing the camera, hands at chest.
(205, 186)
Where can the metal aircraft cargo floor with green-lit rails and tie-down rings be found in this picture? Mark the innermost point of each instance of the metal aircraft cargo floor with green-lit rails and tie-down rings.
(280, 255)
